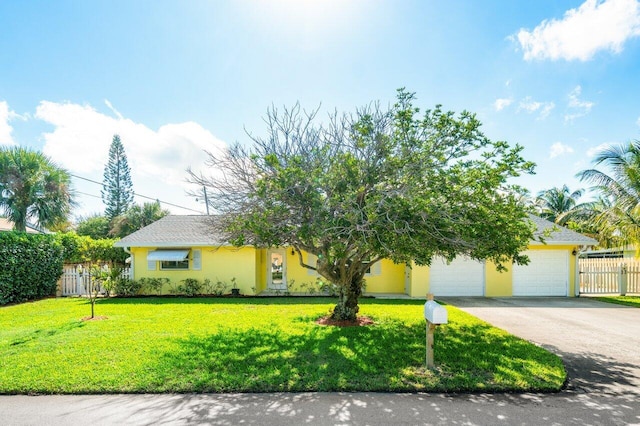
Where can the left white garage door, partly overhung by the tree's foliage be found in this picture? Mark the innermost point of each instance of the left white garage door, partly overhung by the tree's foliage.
(462, 277)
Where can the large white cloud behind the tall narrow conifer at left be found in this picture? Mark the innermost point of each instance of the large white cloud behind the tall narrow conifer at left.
(158, 158)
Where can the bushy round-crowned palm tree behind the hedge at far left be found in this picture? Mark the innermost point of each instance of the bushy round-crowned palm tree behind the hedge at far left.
(33, 188)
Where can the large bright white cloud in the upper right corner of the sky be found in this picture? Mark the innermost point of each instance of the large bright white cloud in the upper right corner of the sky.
(582, 32)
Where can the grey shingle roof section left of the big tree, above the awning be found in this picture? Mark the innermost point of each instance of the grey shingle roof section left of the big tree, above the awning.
(174, 231)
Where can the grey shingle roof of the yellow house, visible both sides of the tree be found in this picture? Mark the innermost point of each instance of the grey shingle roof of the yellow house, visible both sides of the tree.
(194, 231)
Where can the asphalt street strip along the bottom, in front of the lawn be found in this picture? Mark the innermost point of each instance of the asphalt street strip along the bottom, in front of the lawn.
(320, 409)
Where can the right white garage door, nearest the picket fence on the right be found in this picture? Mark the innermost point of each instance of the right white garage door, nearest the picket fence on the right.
(547, 274)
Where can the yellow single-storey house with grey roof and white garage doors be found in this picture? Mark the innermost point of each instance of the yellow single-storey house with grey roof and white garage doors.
(179, 247)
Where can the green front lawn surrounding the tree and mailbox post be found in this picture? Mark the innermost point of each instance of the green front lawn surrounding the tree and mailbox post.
(256, 345)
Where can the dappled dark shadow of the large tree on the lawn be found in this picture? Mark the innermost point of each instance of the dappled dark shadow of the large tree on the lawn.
(386, 357)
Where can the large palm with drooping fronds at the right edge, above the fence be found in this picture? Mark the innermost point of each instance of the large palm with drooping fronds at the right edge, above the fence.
(620, 188)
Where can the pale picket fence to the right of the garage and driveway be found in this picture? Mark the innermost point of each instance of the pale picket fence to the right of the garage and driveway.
(609, 276)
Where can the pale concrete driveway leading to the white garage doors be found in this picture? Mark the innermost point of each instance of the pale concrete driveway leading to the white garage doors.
(598, 342)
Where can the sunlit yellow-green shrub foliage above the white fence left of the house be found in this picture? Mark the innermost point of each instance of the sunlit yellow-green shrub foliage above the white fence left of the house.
(82, 249)
